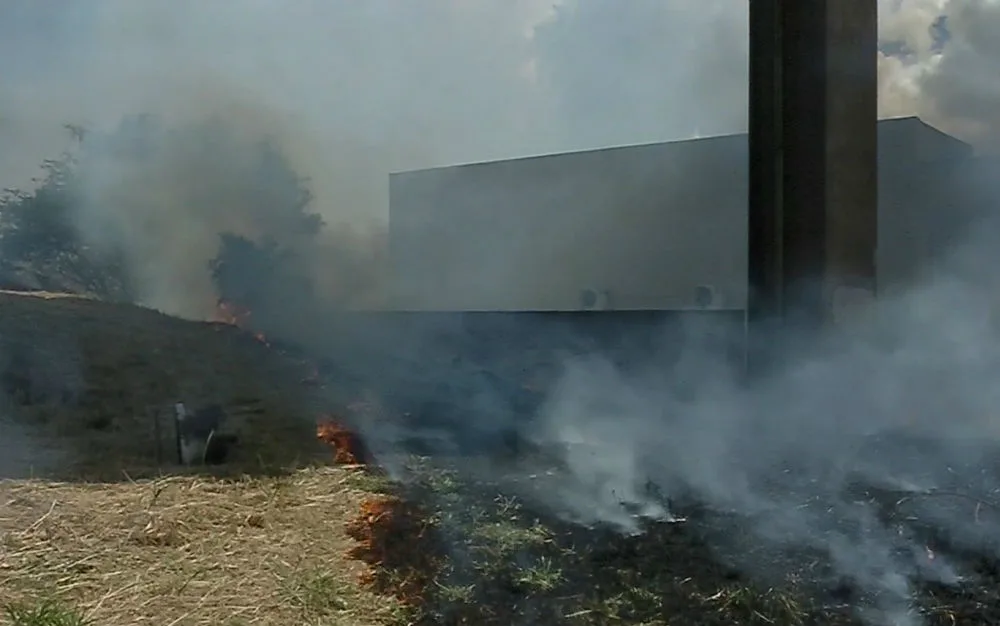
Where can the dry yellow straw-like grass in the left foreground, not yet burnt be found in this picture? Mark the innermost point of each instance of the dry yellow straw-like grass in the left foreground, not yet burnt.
(190, 550)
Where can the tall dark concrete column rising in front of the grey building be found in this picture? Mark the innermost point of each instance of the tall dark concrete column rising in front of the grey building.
(813, 187)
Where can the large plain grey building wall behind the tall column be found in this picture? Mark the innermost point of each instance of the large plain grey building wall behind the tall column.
(640, 228)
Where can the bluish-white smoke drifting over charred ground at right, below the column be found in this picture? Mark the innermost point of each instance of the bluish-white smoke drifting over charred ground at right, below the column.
(900, 403)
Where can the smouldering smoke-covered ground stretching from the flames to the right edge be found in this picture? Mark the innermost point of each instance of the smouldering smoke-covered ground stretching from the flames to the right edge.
(866, 468)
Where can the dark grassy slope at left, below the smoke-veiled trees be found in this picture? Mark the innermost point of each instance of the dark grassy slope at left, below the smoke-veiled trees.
(100, 372)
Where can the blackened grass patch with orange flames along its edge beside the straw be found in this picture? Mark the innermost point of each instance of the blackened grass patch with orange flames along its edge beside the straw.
(461, 556)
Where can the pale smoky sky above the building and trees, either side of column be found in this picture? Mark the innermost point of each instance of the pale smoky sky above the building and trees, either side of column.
(354, 90)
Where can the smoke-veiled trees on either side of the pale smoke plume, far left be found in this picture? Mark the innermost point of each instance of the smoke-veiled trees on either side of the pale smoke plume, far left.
(42, 229)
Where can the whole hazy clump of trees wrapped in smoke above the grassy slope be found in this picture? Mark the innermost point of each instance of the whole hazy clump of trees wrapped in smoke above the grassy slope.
(173, 216)
